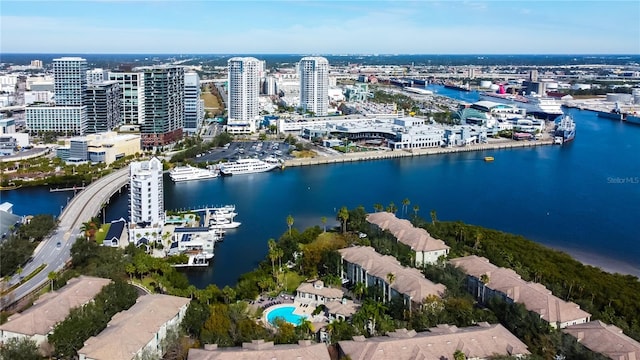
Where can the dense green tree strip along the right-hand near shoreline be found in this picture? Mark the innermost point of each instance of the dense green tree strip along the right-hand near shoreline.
(611, 298)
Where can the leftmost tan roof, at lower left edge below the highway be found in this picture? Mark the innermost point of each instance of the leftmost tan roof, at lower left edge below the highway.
(53, 307)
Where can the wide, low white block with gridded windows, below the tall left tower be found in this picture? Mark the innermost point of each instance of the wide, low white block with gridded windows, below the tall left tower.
(59, 119)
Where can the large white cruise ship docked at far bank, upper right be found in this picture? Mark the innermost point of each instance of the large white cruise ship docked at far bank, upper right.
(536, 105)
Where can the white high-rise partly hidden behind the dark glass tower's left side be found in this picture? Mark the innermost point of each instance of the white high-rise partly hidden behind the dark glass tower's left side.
(132, 85)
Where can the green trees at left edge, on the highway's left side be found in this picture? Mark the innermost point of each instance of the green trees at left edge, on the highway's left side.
(18, 248)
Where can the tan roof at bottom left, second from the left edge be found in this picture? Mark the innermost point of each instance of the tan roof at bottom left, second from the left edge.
(129, 331)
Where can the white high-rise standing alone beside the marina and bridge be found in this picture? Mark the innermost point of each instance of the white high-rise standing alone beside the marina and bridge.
(146, 196)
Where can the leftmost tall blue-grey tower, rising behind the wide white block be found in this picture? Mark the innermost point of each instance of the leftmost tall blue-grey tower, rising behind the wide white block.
(70, 80)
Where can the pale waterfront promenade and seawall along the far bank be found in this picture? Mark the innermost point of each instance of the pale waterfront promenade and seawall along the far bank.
(498, 144)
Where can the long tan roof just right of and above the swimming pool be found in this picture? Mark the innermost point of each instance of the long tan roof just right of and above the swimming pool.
(409, 281)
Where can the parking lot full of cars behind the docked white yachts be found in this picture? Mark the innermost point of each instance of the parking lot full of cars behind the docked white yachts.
(246, 149)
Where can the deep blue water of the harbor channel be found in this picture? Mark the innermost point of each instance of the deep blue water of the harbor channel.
(583, 198)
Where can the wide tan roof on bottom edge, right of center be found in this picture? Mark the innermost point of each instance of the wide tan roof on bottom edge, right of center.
(477, 342)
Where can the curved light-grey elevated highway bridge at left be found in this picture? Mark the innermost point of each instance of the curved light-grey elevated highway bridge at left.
(54, 251)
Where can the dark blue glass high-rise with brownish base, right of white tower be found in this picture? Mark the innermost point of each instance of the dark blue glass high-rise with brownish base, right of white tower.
(163, 106)
